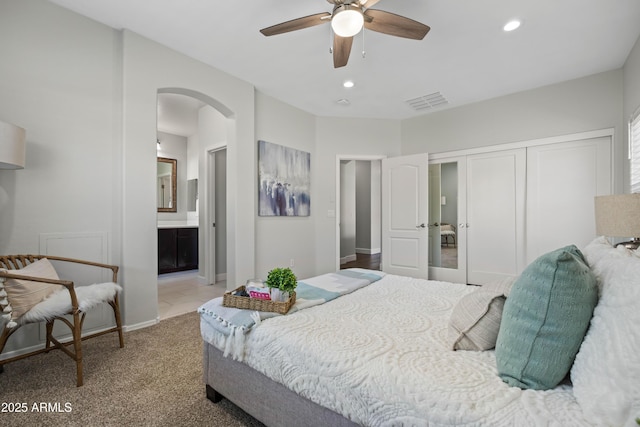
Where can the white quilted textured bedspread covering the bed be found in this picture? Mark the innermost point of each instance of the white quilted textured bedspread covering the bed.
(380, 357)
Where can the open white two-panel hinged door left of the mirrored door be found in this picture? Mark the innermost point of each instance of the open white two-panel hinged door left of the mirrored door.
(405, 211)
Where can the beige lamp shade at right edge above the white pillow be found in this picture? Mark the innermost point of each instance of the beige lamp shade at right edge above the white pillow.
(618, 215)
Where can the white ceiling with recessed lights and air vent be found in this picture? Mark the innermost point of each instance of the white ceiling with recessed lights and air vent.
(466, 56)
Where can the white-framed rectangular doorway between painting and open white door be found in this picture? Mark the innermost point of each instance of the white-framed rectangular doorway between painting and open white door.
(358, 212)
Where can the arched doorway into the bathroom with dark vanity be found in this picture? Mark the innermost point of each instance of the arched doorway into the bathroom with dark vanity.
(185, 124)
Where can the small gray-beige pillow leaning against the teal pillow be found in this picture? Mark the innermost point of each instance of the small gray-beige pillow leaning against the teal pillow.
(475, 320)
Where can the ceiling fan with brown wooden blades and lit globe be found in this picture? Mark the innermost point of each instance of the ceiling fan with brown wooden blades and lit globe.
(347, 19)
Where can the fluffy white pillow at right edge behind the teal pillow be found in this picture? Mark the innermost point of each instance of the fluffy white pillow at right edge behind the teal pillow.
(606, 371)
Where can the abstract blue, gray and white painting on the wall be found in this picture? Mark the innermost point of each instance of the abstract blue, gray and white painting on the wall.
(283, 180)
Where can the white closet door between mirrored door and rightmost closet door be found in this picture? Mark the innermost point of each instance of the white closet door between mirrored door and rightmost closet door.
(495, 215)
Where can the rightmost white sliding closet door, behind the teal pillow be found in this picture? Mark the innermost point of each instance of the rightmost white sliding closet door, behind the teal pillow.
(562, 181)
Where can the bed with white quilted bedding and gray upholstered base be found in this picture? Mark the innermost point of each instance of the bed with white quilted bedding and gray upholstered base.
(382, 353)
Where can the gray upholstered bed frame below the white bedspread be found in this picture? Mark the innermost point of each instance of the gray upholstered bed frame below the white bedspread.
(266, 400)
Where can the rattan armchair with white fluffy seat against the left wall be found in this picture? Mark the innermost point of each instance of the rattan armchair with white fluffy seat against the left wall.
(70, 301)
